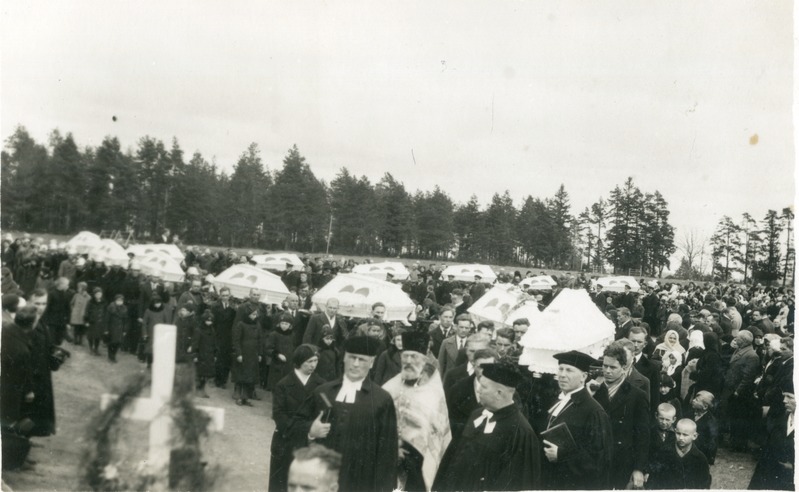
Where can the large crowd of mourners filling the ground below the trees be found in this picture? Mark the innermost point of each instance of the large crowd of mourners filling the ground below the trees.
(437, 401)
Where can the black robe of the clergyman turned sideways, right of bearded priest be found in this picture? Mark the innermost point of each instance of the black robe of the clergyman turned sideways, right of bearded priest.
(506, 458)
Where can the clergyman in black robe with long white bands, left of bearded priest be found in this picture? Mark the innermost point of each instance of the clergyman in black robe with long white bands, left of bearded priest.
(357, 418)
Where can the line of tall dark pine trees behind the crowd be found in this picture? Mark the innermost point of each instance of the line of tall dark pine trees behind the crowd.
(61, 188)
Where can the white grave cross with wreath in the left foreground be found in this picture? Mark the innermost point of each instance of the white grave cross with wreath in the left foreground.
(156, 408)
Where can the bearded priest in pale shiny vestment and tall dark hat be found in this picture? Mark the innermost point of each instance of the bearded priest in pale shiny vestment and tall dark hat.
(421, 413)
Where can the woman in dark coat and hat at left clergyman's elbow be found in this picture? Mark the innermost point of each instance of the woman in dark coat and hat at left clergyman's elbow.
(288, 394)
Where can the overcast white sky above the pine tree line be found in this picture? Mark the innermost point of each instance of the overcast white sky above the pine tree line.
(487, 95)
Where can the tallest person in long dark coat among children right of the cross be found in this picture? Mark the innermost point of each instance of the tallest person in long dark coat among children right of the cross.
(247, 352)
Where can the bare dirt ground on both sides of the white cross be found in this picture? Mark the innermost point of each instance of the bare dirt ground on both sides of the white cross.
(241, 450)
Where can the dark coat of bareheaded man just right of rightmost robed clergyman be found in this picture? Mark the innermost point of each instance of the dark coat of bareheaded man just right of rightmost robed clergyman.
(629, 419)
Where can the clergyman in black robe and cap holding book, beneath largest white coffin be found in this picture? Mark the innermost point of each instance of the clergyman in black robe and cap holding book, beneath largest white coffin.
(586, 465)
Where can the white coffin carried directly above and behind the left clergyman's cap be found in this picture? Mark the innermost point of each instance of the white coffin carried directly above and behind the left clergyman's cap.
(357, 293)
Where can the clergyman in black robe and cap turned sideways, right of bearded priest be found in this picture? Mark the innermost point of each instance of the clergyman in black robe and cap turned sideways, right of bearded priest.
(498, 449)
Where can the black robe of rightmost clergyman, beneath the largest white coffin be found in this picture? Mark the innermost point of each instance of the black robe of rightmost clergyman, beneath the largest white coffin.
(587, 467)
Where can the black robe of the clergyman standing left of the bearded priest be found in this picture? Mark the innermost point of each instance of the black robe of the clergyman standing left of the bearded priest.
(364, 432)
